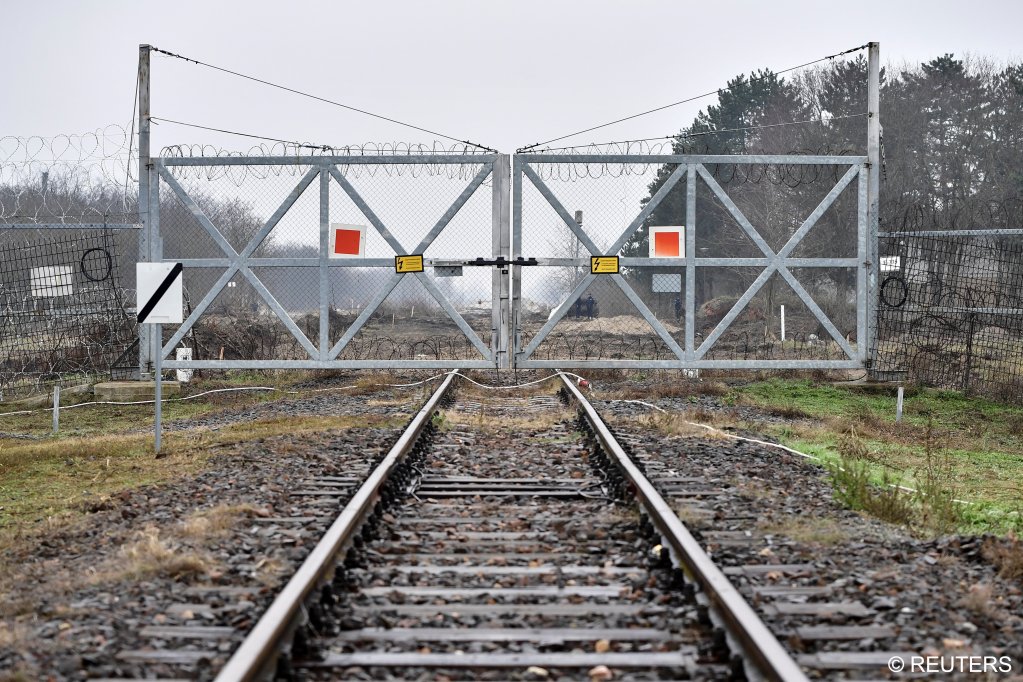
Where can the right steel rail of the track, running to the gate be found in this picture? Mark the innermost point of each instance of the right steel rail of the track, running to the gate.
(759, 644)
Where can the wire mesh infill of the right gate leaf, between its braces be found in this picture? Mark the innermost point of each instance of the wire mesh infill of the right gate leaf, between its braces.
(604, 322)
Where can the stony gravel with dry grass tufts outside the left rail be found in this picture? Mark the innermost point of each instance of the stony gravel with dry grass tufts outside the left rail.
(204, 551)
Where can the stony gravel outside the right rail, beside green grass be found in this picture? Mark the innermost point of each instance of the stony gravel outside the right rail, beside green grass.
(941, 598)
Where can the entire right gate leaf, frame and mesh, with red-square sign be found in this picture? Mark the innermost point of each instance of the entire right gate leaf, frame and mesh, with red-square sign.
(740, 241)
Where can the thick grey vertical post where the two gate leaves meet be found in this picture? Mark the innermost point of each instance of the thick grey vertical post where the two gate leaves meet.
(502, 247)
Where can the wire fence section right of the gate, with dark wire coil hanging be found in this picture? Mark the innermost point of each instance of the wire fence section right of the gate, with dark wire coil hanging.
(951, 311)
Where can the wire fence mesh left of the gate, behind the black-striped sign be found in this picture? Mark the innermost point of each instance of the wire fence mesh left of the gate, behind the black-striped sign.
(63, 309)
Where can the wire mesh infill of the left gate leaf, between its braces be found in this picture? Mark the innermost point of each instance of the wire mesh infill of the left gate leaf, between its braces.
(413, 323)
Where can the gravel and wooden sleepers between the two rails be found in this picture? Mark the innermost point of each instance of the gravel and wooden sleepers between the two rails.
(530, 540)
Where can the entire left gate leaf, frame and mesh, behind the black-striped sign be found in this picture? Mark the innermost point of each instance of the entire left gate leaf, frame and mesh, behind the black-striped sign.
(259, 260)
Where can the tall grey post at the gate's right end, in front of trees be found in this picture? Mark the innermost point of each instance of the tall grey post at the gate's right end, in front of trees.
(873, 192)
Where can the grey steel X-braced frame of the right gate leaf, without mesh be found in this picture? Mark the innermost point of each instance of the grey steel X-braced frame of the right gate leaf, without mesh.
(691, 167)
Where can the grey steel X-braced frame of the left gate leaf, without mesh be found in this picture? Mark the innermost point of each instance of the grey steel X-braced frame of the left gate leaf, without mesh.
(324, 355)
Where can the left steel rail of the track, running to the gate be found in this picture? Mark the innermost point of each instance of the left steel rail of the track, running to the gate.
(253, 659)
